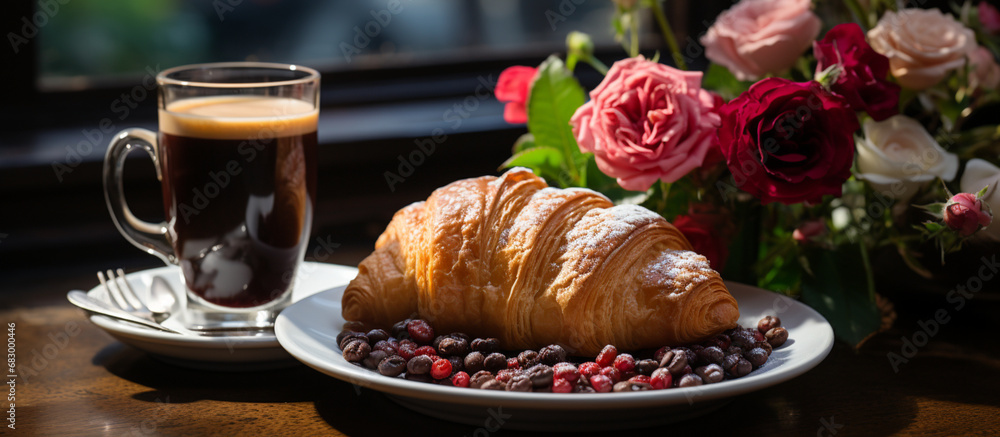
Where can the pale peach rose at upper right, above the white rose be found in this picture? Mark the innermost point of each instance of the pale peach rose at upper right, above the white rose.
(923, 45)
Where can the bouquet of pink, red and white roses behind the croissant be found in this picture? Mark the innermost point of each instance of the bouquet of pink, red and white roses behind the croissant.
(792, 157)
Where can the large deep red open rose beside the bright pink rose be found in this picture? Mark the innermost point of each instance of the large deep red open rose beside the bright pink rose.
(788, 142)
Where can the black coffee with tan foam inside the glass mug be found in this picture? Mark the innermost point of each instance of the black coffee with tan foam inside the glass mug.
(239, 184)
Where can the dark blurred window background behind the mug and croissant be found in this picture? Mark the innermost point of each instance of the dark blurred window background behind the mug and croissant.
(394, 72)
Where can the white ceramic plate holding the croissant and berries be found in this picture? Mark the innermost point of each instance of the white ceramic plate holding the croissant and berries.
(308, 331)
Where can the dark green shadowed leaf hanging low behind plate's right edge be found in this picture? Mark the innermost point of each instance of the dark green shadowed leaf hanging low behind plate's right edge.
(839, 291)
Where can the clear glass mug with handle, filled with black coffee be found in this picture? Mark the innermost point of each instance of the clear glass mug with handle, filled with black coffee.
(236, 159)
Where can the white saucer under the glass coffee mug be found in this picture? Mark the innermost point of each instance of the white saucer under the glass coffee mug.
(257, 352)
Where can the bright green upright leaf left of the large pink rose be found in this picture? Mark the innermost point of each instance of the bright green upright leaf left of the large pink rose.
(555, 96)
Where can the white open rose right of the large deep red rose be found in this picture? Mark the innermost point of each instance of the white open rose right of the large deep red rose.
(897, 157)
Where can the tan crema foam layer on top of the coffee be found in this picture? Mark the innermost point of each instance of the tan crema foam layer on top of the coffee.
(238, 117)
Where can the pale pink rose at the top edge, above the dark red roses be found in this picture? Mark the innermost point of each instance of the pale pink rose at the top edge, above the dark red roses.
(757, 37)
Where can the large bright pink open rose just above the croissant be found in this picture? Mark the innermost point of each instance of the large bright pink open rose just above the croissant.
(647, 121)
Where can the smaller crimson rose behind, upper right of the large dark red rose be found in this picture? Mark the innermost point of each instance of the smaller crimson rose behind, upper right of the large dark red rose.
(862, 79)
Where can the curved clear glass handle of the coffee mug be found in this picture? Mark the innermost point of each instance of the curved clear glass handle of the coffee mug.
(150, 237)
